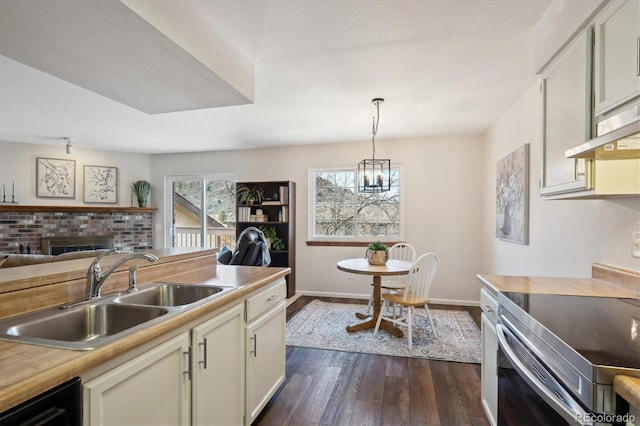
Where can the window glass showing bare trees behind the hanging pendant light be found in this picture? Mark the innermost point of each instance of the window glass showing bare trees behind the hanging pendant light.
(339, 211)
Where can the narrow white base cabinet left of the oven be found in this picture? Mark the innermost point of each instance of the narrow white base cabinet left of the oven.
(489, 370)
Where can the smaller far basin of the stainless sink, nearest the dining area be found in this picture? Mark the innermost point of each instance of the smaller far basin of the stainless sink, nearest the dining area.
(172, 295)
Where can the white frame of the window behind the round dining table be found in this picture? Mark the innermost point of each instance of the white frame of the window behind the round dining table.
(311, 181)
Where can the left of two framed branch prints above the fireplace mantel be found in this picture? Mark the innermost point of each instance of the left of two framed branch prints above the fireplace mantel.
(55, 178)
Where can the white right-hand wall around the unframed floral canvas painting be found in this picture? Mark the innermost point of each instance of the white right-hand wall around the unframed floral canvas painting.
(565, 236)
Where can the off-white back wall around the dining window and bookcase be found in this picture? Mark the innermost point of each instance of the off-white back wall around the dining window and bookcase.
(442, 189)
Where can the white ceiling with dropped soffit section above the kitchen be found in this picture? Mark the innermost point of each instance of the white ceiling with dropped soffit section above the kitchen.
(299, 71)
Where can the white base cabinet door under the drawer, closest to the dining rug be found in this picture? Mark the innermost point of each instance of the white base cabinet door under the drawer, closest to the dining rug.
(266, 358)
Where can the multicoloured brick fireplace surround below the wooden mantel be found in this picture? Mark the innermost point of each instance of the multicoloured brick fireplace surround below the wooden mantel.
(131, 231)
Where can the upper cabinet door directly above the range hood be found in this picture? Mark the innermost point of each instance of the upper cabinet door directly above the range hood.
(617, 55)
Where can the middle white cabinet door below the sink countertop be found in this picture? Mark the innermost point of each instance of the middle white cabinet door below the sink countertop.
(218, 378)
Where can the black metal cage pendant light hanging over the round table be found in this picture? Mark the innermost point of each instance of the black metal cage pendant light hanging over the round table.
(374, 175)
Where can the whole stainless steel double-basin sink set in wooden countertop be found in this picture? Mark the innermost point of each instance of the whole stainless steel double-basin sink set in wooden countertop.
(94, 323)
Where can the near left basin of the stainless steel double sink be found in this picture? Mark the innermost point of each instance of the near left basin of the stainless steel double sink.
(81, 327)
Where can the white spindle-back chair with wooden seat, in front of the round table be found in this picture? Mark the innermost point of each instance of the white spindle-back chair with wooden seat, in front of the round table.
(415, 294)
